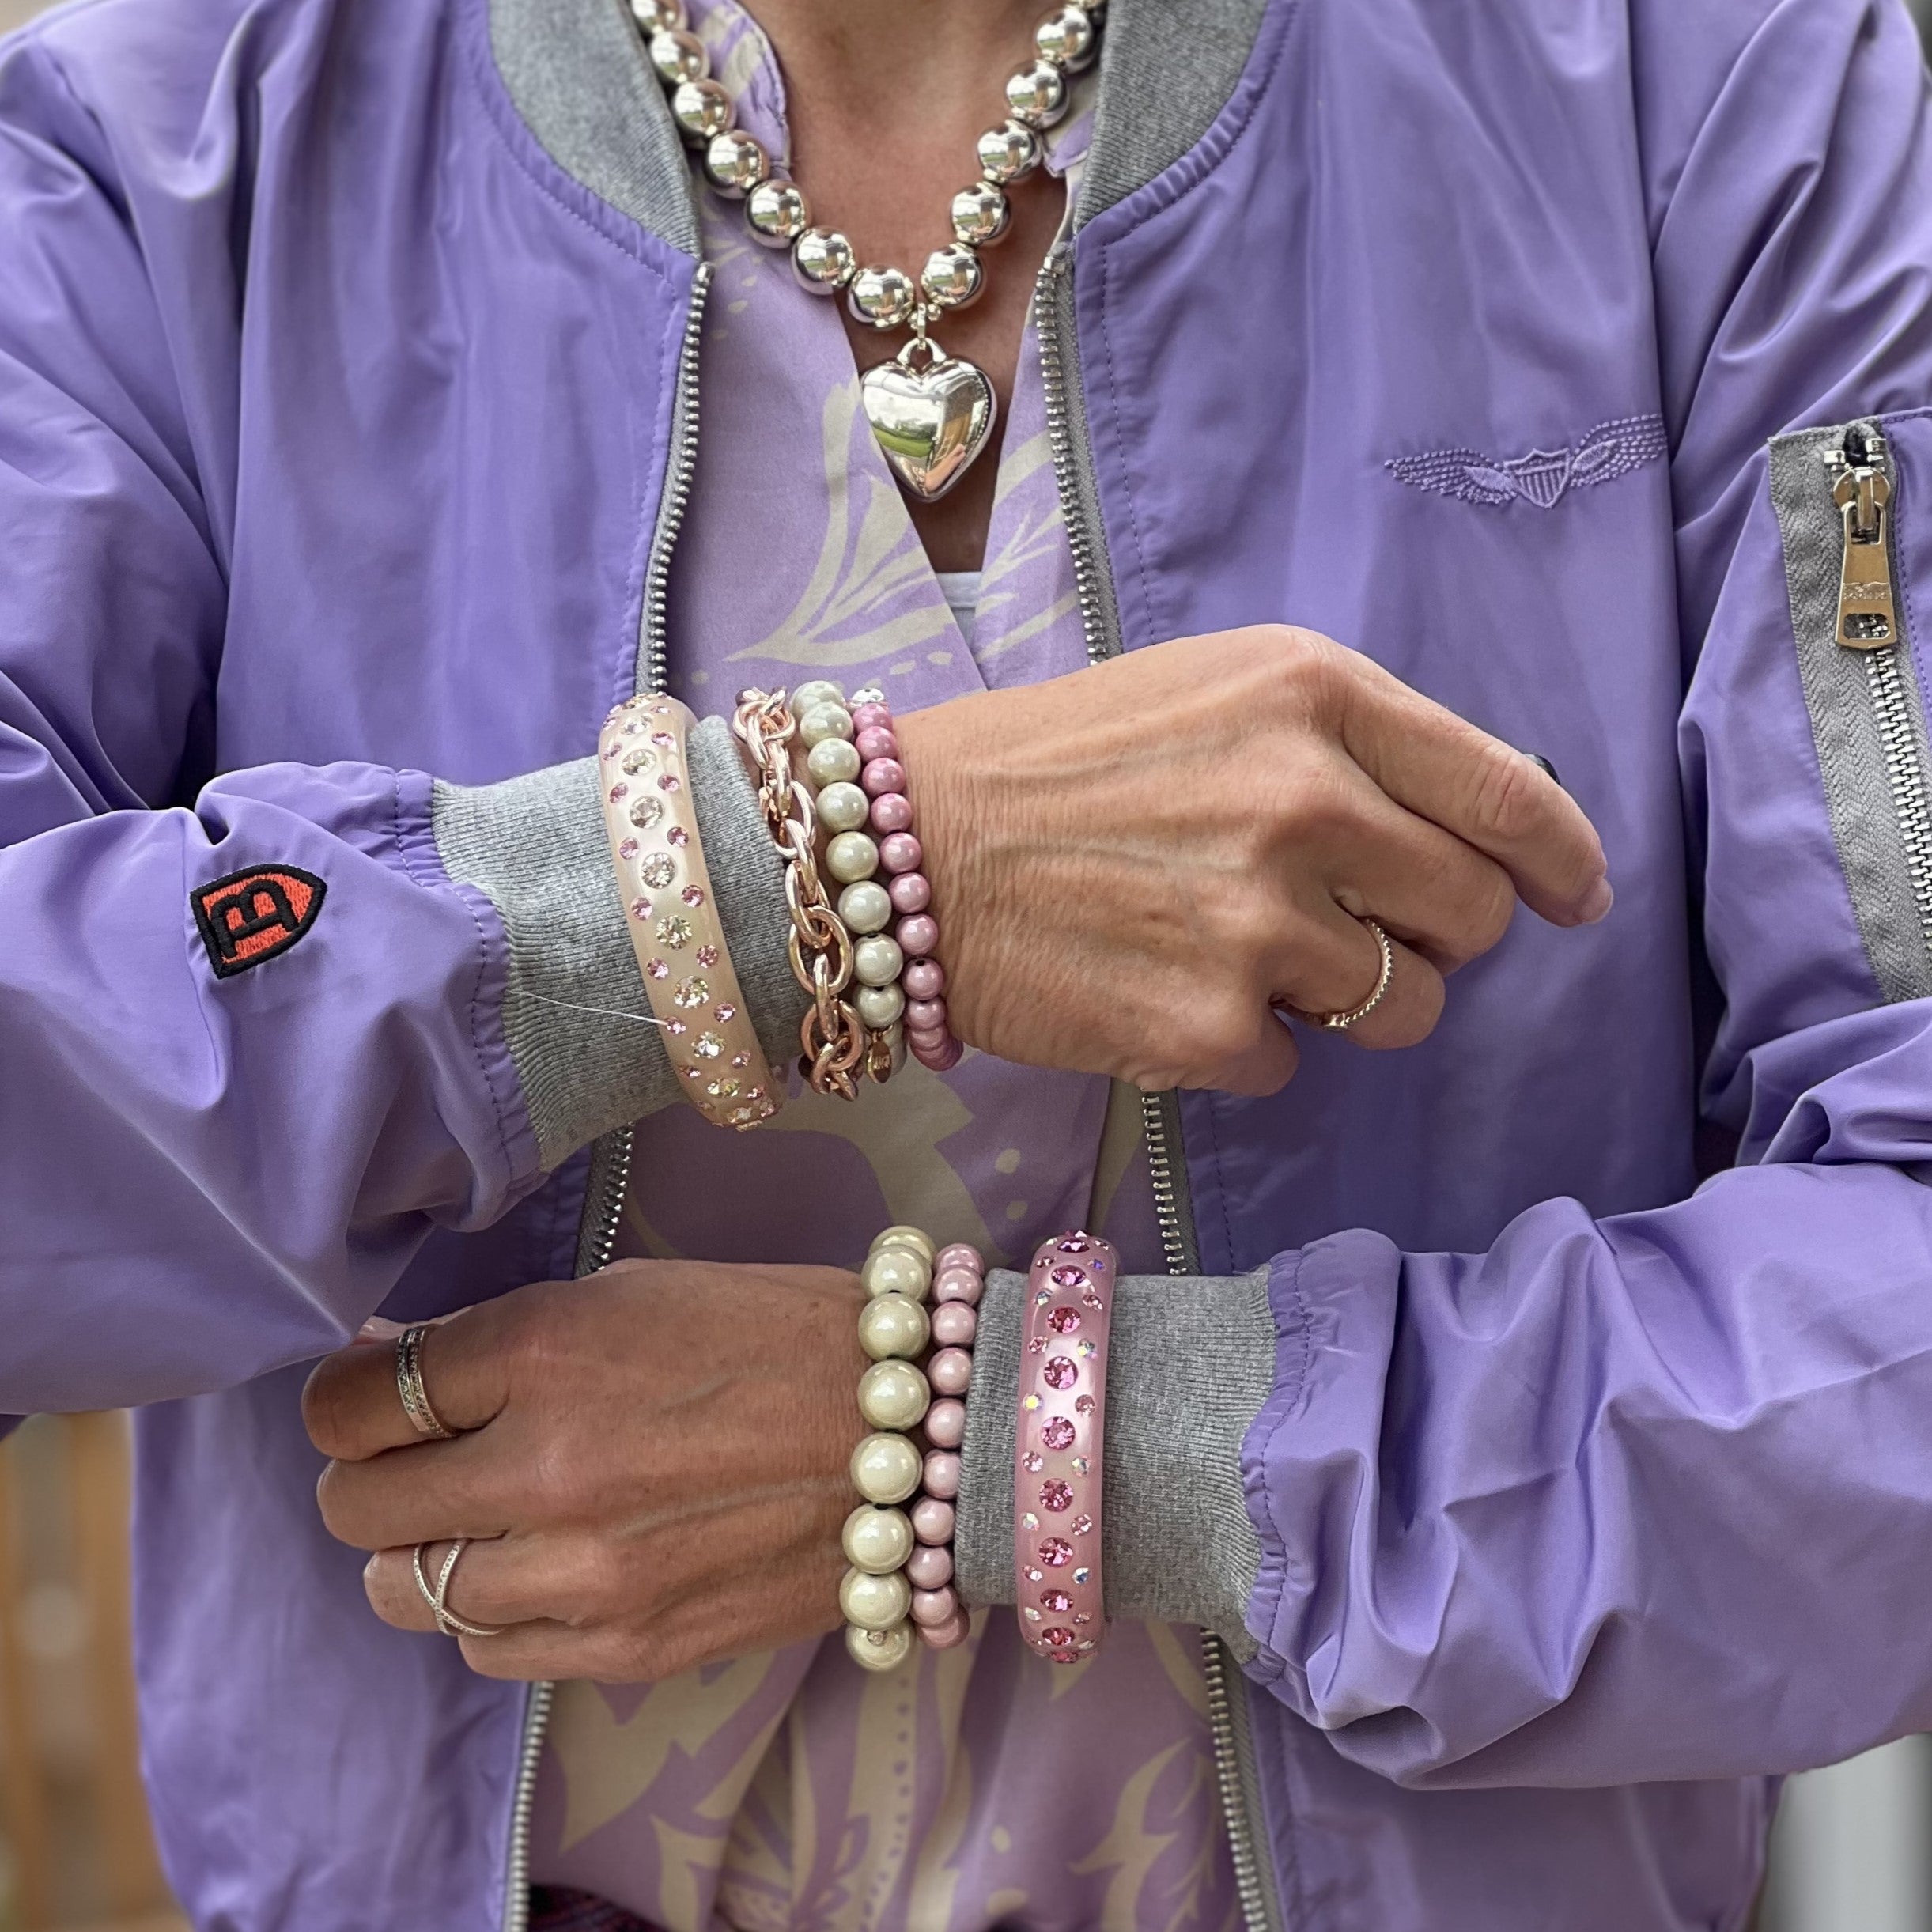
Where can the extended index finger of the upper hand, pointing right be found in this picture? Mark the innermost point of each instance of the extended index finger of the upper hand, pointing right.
(1479, 789)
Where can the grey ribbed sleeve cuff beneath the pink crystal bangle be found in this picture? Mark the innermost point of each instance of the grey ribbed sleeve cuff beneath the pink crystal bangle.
(1191, 1363)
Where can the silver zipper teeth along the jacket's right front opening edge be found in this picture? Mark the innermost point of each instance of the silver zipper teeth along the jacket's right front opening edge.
(1162, 1172)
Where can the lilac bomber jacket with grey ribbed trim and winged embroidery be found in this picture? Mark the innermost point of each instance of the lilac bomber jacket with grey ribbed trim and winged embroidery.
(343, 405)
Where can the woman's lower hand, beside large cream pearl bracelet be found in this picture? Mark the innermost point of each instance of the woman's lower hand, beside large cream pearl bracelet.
(654, 1467)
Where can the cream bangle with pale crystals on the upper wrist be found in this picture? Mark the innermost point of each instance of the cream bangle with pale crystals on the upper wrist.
(673, 917)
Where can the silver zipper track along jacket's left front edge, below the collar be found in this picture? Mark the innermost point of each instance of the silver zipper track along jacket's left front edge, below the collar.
(610, 1178)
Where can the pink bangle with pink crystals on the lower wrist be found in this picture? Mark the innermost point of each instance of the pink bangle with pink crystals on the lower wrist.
(1060, 1442)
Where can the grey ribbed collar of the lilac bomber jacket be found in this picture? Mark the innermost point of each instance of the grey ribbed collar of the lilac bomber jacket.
(577, 74)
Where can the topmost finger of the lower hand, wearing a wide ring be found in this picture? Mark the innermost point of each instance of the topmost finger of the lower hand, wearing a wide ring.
(353, 1404)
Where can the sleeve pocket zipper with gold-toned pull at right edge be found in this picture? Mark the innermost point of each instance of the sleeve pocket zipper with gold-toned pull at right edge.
(1869, 623)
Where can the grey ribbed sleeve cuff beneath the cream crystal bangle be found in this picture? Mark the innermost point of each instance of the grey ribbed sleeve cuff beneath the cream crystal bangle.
(575, 1011)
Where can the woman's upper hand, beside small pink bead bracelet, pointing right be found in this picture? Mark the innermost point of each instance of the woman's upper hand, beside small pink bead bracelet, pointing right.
(1139, 863)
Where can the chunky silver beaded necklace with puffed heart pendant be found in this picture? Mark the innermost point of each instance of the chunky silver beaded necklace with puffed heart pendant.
(932, 412)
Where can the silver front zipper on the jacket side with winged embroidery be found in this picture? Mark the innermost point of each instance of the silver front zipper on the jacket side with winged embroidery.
(1100, 623)
